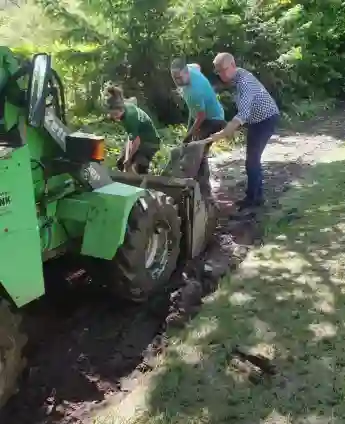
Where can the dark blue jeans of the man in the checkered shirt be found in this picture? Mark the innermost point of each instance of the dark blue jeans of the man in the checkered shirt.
(257, 138)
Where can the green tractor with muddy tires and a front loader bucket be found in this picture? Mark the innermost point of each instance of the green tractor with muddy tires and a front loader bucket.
(58, 199)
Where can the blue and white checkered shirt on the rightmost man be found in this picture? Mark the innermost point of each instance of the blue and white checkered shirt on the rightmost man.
(253, 101)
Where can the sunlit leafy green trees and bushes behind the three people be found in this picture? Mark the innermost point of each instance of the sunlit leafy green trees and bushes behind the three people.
(296, 48)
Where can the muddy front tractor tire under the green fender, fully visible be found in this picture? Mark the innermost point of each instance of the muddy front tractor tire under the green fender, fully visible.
(145, 262)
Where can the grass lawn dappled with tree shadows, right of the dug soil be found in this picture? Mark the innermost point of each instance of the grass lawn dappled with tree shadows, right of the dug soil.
(287, 300)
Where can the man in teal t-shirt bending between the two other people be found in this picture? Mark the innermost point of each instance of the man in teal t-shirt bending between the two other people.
(206, 114)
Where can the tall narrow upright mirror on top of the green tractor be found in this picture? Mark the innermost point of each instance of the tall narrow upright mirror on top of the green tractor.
(38, 89)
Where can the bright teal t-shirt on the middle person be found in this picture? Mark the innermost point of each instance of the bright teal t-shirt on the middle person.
(201, 97)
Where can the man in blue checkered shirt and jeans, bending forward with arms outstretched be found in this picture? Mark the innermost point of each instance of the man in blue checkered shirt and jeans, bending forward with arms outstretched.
(257, 110)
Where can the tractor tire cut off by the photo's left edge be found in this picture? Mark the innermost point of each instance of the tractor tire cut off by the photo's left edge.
(12, 342)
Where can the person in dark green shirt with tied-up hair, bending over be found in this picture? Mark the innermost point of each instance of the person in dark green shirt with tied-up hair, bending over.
(143, 138)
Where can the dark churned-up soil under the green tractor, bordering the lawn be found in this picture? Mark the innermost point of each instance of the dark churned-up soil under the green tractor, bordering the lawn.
(86, 348)
